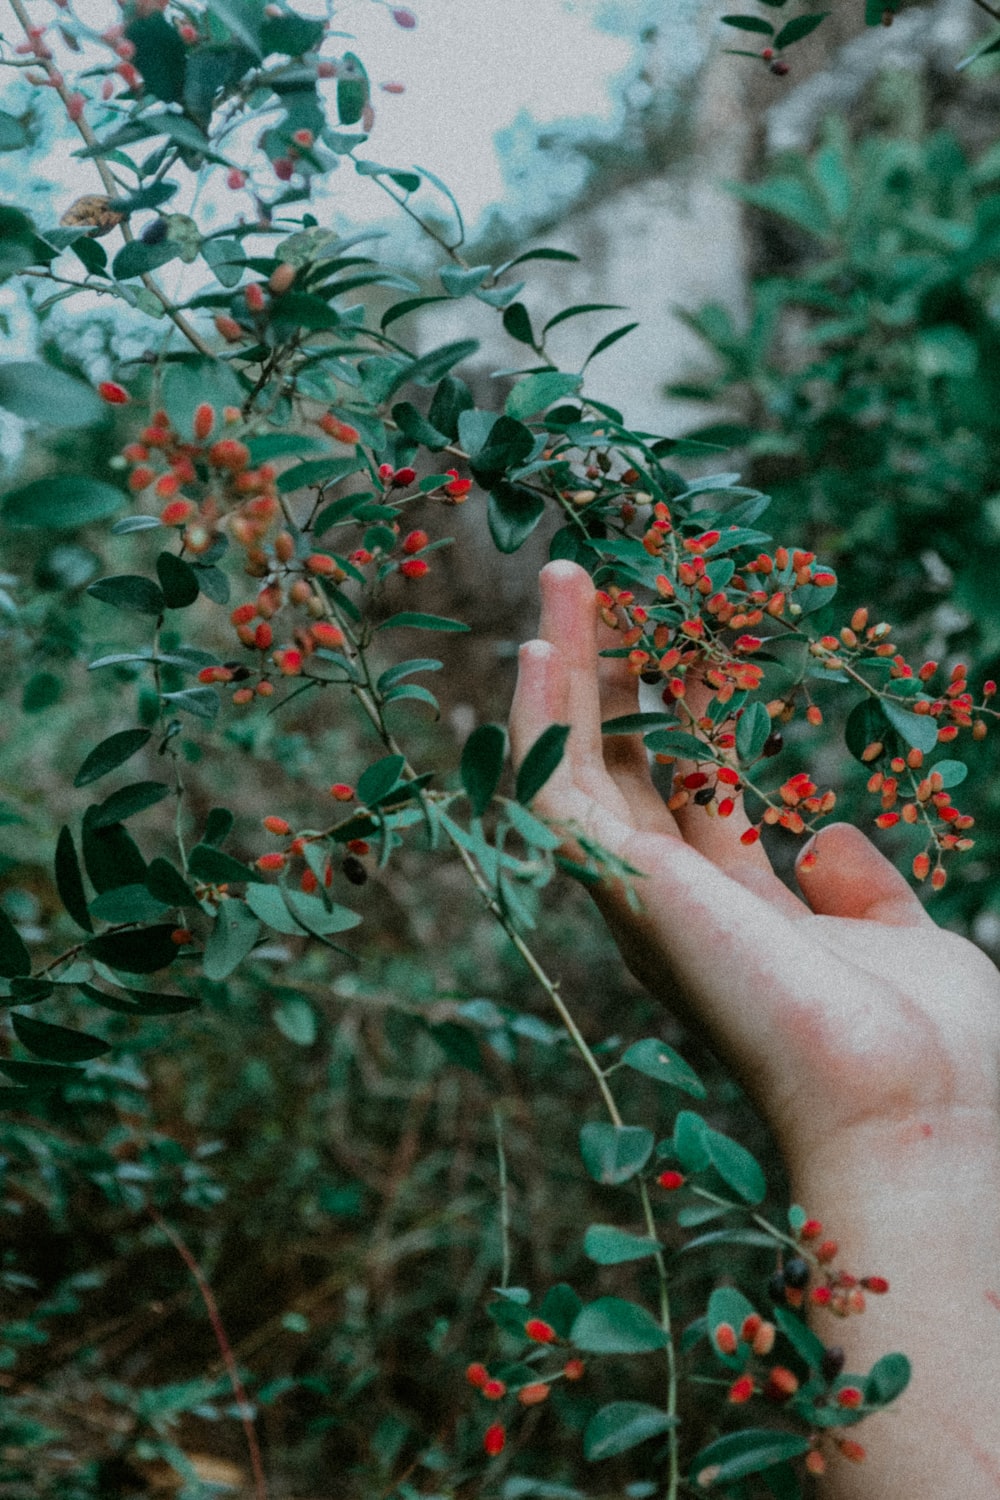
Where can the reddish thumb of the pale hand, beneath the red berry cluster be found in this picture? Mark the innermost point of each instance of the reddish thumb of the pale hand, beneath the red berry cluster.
(842, 874)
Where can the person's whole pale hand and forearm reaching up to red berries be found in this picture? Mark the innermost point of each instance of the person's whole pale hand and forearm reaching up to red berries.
(867, 1036)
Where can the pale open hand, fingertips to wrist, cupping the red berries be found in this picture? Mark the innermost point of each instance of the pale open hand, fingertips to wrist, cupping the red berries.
(836, 1009)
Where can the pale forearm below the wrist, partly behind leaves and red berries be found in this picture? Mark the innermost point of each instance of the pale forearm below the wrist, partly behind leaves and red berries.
(918, 1204)
